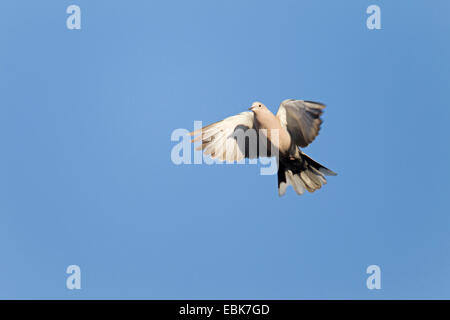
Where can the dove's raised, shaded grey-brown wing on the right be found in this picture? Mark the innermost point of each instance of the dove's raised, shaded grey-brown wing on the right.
(301, 119)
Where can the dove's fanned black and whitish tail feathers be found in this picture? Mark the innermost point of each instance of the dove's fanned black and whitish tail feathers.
(303, 174)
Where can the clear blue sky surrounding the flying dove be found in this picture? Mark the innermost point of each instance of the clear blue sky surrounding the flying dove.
(86, 176)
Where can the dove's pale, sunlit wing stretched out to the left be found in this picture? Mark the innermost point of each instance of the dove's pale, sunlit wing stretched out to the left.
(223, 139)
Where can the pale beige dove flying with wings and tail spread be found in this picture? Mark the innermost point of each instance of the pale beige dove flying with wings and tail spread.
(296, 125)
